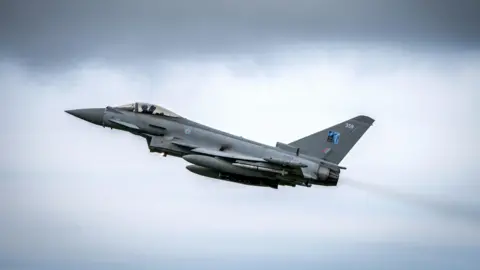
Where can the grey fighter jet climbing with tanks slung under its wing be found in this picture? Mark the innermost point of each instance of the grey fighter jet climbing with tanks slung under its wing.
(311, 160)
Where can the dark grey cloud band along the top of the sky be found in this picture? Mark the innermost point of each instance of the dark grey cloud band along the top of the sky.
(52, 32)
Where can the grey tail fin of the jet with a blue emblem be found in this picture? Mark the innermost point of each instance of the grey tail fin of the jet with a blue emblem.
(334, 143)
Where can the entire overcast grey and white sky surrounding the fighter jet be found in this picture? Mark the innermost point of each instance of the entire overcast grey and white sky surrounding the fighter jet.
(76, 196)
